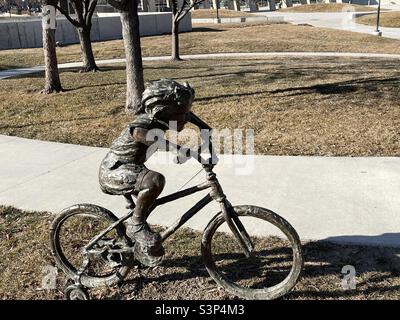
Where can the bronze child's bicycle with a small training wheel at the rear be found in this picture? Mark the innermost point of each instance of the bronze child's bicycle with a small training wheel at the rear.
(102, 243)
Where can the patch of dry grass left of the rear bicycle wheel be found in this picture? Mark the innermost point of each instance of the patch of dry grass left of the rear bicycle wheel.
(24, 252)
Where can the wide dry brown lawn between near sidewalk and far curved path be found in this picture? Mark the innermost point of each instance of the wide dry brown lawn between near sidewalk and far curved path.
(297, 106)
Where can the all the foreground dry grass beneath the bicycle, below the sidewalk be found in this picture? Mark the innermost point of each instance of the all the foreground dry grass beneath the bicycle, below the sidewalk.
(24, 253)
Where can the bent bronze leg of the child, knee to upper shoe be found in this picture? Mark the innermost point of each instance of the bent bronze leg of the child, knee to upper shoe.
(149, 189)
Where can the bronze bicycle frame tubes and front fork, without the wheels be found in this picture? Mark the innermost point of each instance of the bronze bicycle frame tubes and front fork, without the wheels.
(215, 193)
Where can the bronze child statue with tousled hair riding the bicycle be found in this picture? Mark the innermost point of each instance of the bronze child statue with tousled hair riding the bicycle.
(123, 171)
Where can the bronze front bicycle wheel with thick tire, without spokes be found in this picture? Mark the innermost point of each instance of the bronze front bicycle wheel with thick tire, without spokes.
(276, 261)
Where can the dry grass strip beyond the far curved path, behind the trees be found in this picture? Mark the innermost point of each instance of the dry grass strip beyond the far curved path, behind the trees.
(222, 38)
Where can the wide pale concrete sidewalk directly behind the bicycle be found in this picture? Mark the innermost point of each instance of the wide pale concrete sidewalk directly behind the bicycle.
(342, 199)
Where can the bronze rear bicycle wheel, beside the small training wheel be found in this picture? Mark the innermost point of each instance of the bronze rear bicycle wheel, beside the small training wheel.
(73, 229)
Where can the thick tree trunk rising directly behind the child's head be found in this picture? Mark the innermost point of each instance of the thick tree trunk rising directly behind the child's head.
(133, 53)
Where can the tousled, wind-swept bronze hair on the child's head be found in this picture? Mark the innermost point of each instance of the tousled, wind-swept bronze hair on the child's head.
(166, 93)
